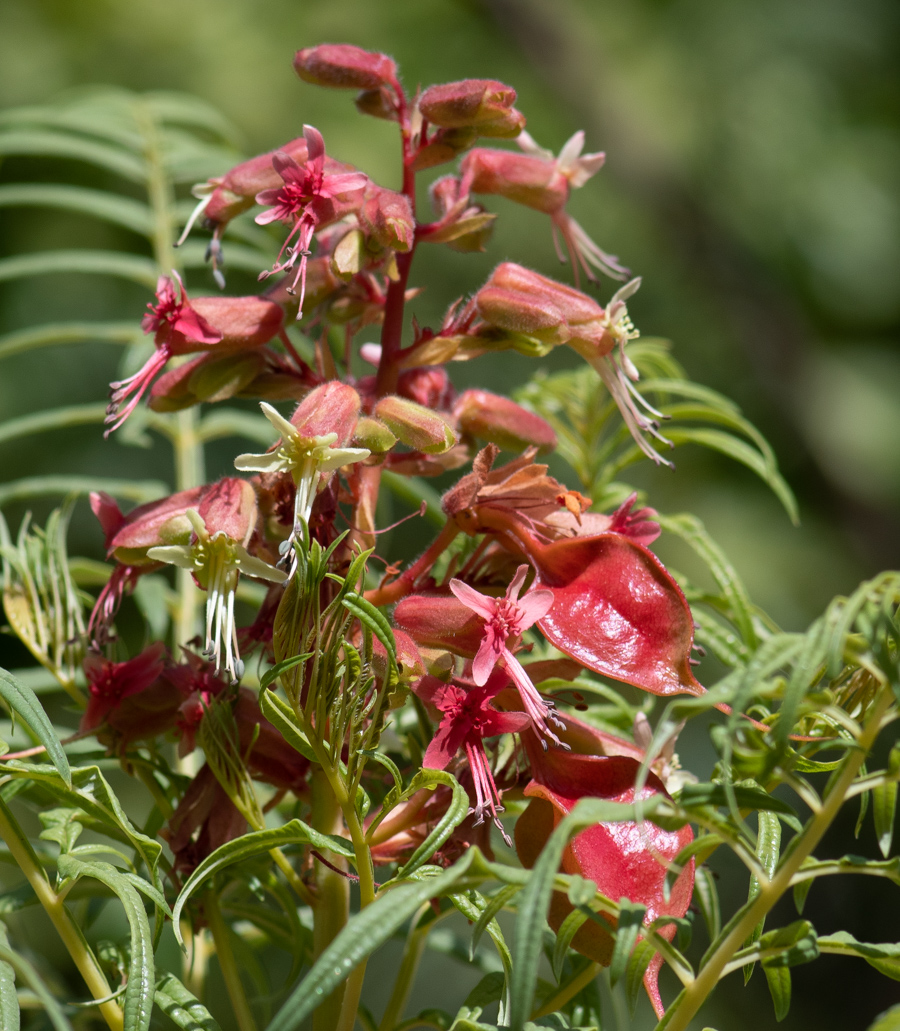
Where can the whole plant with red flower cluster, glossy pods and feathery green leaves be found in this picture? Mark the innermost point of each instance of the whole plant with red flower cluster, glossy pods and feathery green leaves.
(348, 749)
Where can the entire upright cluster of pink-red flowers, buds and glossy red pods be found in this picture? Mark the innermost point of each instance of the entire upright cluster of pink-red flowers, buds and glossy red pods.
(519, 560)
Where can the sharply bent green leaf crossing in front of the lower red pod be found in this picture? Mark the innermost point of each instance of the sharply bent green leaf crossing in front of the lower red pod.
(536, 897)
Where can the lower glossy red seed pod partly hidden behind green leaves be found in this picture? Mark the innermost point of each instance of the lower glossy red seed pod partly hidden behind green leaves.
(625, 860)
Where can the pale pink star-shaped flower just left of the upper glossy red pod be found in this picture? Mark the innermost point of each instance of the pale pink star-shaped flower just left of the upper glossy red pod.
(507, 620)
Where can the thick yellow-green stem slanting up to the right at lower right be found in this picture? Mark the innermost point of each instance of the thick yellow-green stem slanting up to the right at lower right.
(692, 999)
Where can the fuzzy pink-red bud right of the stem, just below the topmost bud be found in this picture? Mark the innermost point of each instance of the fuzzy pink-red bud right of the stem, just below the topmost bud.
(485, 105)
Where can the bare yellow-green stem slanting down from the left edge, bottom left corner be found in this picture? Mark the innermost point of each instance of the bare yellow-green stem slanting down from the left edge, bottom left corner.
(60, 918)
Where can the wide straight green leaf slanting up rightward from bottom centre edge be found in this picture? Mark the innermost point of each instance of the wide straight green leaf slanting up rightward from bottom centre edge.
(362, 936)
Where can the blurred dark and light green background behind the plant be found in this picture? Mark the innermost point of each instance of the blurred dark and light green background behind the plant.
(752, 180)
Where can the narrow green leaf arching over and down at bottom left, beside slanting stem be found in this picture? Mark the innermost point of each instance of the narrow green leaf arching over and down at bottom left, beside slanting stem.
(140, 991)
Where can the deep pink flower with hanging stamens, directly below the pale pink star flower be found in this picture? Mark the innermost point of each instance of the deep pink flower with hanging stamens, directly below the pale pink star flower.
(468, 718)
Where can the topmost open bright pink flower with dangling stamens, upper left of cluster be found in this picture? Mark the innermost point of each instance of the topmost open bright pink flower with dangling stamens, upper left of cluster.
(309, 198)
